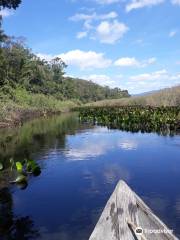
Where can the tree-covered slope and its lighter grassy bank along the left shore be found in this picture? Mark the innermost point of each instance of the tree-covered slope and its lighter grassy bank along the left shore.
(31, 87)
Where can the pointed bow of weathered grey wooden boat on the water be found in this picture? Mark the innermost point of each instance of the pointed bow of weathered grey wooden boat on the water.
(124, 212)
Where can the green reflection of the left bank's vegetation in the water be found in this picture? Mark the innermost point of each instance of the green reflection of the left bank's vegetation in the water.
(36, 135)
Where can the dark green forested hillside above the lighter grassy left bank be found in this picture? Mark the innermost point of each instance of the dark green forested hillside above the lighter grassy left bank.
(20, 68)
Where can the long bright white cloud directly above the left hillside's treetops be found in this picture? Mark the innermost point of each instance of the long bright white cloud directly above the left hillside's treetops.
(83, 60)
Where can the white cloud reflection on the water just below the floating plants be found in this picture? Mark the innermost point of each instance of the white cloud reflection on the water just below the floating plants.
(96, 143)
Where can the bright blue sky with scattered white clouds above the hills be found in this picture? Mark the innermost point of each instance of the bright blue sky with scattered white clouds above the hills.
(130, 44)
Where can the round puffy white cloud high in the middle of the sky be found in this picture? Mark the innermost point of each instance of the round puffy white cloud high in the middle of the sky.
(110, 32)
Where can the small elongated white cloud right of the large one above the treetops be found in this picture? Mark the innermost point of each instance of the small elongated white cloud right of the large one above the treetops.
(133, 62)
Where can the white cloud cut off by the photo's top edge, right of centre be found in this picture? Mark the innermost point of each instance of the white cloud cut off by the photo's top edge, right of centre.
(135, 4)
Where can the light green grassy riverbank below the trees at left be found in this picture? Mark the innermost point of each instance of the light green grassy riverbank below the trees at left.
(22, 107)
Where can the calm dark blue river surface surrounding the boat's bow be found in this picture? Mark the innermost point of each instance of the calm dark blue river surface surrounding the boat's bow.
(81, 164)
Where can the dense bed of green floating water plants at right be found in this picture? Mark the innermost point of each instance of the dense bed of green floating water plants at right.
(164, 120)
